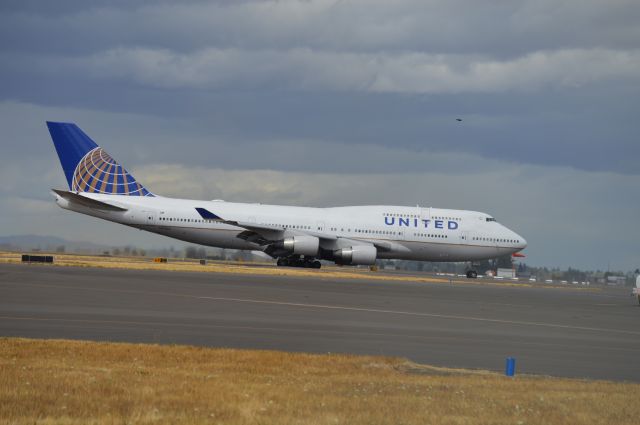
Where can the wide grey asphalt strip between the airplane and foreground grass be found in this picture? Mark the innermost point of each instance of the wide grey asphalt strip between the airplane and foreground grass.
(561, 332)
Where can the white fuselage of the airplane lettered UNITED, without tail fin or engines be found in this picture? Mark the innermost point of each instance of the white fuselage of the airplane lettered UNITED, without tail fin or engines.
(410, 233)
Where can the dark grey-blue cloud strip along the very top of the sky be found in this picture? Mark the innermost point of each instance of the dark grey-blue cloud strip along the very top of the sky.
(452, 26)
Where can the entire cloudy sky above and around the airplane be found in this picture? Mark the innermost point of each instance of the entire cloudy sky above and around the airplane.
(328, 103)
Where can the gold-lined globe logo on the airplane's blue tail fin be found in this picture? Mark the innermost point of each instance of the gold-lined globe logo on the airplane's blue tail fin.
(98, 172)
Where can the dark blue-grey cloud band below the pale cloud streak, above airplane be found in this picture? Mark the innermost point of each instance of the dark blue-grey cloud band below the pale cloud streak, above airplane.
(591, 129)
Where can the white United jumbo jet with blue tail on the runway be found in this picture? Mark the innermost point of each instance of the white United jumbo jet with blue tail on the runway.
(296, 236)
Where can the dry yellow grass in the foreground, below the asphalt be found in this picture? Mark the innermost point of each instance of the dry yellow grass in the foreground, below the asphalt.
(71, 382)
